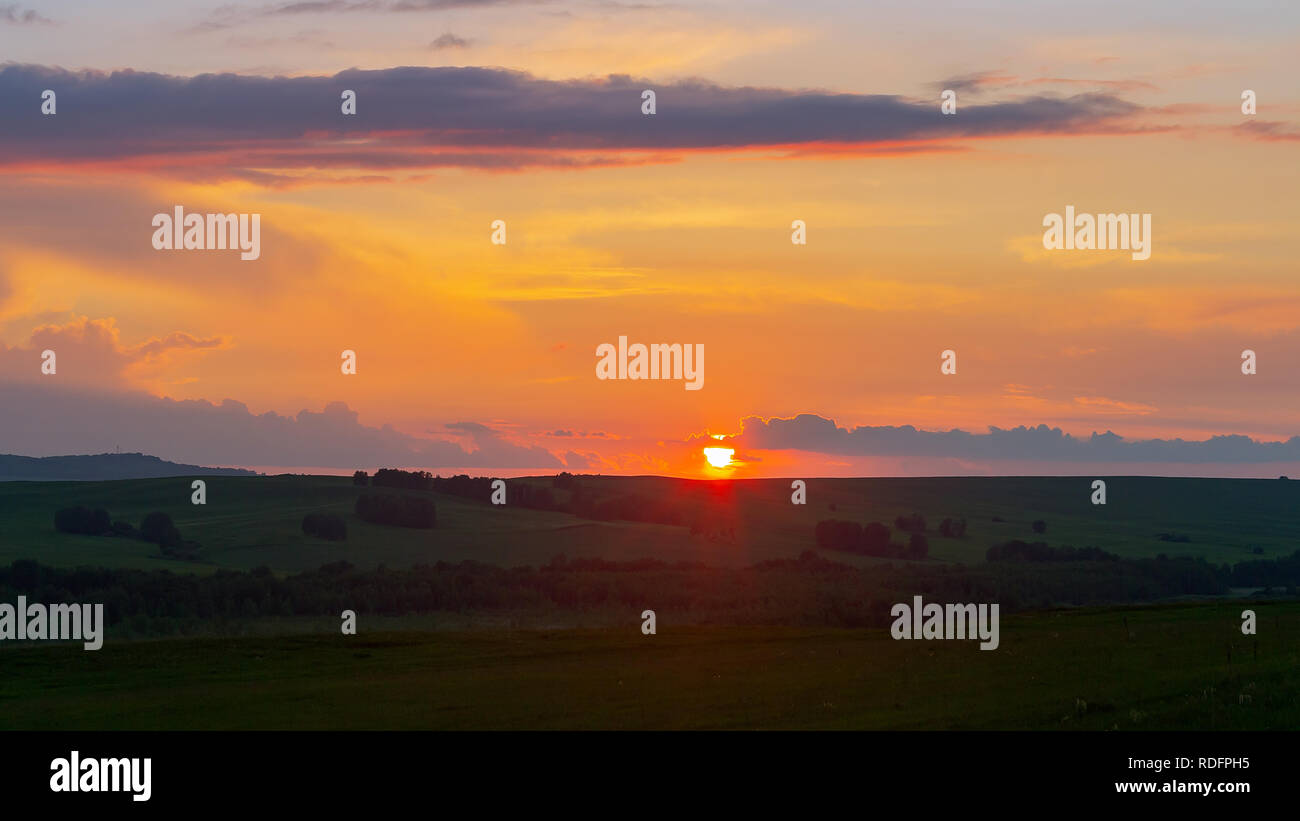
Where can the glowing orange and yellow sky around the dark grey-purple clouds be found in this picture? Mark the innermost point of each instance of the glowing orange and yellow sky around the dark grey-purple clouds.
(915, 247)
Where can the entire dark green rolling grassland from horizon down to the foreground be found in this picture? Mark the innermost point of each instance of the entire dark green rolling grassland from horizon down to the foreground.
(792, 644)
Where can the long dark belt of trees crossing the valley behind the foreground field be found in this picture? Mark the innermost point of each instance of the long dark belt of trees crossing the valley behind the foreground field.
(809, 590)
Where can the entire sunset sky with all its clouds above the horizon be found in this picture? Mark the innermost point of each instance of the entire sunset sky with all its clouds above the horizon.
(924, 236)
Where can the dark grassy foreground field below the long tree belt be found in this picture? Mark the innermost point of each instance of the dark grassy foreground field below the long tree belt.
(1173, 667)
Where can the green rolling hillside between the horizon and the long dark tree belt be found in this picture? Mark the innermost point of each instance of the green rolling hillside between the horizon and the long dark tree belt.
(252, 522)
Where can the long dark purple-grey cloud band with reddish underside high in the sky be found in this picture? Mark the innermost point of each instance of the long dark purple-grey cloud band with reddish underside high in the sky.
(428, 118)
